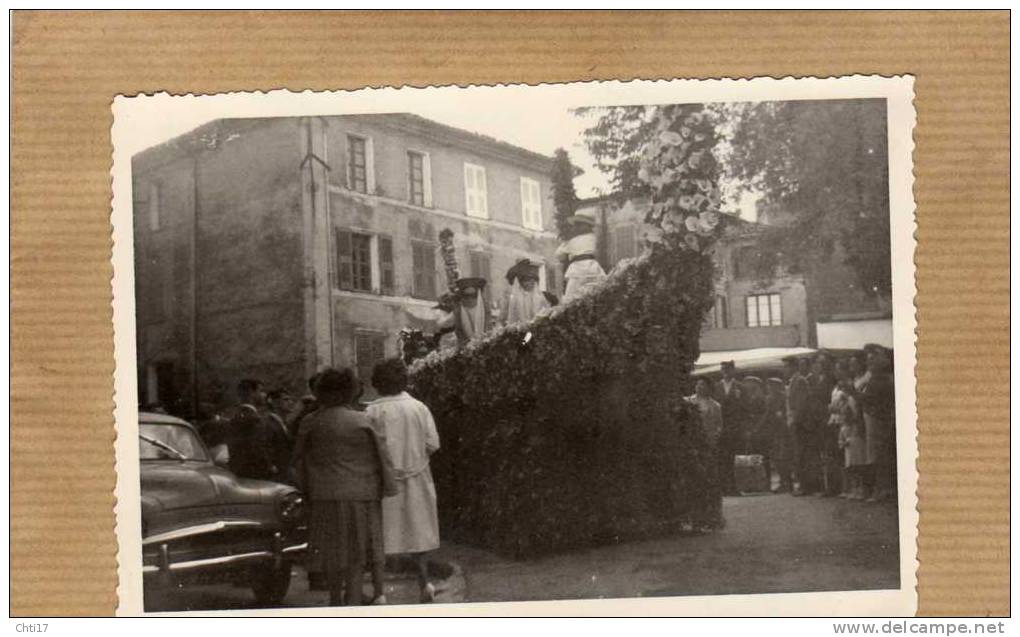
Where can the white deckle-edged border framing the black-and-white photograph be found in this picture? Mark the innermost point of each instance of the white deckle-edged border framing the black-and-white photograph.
(134, 115)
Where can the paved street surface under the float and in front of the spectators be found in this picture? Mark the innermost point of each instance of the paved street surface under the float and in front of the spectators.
(772, 544)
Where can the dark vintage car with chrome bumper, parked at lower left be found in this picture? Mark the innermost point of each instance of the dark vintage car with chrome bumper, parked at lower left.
(201, 524)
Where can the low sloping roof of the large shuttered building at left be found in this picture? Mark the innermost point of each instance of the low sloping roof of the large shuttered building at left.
(211, 135)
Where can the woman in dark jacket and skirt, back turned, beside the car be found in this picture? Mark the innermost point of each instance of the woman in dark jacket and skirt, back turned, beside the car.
(345, 469)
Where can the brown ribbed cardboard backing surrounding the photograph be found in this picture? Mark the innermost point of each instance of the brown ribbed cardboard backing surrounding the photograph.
(68, 67)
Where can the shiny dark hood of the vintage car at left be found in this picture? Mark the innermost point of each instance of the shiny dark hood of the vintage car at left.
(172, 485)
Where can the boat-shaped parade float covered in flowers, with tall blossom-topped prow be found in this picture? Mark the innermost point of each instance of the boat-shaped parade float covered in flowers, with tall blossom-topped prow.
(572, 430)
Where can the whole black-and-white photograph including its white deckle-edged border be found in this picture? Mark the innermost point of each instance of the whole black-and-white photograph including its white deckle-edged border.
(649, 343)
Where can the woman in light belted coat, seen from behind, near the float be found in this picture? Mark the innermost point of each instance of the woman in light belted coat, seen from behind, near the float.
(411, 519)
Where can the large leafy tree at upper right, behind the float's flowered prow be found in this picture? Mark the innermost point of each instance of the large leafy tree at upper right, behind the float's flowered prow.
(821, 169)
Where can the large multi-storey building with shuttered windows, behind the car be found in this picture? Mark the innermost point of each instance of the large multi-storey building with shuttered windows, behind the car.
(275, 247)
